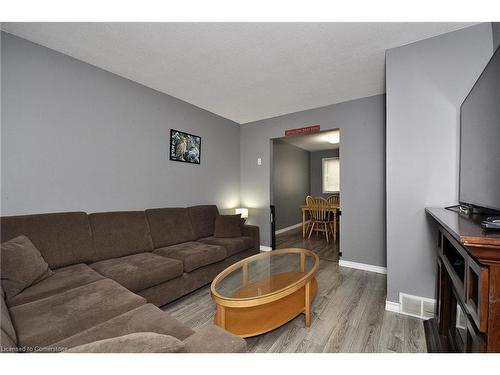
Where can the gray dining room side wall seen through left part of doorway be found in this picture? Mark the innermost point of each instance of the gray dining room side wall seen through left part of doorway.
(290, 179)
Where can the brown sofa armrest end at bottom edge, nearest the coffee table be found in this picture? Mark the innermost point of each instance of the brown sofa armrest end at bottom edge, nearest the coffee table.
(212, 339)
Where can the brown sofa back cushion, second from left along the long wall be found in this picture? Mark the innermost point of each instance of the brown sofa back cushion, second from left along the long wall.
(117, 234)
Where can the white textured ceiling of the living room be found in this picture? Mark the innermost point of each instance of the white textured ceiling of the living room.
(242, 71)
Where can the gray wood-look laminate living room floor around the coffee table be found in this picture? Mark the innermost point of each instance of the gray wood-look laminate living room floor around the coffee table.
(348, 315)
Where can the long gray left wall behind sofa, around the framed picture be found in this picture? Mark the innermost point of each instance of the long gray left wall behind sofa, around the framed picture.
(75, 137)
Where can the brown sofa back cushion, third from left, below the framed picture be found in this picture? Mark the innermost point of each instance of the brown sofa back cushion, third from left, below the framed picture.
(170, 226)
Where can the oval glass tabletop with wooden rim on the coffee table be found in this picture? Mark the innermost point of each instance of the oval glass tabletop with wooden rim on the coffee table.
(265, 274)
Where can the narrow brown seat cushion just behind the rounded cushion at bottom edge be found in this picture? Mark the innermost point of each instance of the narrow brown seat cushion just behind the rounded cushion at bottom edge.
(146, 318)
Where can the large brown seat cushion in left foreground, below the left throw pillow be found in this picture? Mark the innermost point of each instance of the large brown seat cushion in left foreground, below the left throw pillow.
(48, 320)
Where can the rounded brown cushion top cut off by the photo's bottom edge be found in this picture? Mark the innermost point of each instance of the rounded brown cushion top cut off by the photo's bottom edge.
(143, 342)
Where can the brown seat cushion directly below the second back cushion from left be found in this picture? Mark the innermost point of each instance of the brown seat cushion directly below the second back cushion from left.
(139, 271)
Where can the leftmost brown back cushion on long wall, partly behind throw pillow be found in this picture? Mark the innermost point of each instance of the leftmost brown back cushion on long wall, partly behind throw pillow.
(63, 239)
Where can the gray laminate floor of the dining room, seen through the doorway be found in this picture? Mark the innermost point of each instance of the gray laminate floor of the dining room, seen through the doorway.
(317, 243)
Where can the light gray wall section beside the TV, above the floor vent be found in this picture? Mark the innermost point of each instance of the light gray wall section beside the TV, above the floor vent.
(426, 83)
